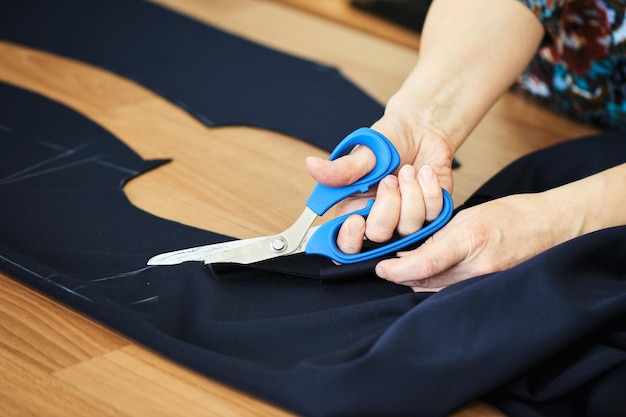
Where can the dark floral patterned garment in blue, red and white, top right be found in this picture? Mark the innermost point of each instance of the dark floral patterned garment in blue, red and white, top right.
(580, 69)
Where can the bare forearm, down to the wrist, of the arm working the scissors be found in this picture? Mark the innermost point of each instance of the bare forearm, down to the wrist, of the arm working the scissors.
(471, 52)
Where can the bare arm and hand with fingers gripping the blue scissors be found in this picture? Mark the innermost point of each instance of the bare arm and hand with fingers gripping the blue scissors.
(471, 52)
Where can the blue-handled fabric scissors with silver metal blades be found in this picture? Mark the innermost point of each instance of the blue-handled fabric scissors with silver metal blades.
(320, 240)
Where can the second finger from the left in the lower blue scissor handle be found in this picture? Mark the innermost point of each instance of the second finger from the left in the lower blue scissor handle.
(384, 216)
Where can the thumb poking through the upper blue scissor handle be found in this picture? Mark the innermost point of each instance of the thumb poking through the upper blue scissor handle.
(344, 170)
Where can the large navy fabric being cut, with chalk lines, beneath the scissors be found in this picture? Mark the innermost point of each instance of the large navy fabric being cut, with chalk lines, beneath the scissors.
(546, 338)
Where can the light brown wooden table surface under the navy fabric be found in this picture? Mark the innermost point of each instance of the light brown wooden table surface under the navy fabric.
(57, 362)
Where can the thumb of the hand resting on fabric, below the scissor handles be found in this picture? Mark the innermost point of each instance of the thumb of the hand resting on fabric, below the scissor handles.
(433, 258)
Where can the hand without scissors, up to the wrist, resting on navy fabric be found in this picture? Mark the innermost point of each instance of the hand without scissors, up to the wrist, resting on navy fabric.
(482, 239)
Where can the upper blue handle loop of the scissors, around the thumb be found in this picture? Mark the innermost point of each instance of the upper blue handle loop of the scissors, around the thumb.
(387, 160)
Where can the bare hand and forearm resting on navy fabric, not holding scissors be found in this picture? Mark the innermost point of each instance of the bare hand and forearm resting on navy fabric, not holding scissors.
(504, 232)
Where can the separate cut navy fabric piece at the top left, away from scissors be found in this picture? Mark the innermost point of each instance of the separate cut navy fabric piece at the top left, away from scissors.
(219, 78)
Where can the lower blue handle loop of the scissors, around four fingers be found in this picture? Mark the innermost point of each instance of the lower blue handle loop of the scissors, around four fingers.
(324, 240)
